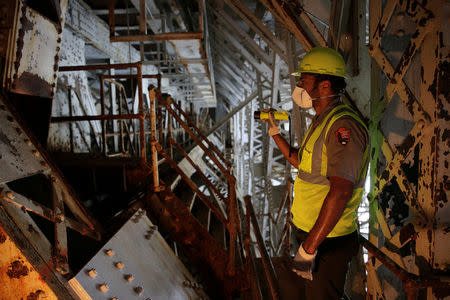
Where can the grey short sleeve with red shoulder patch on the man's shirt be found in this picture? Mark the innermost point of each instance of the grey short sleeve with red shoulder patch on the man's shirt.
(346, 142)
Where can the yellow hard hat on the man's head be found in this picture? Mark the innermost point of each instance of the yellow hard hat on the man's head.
(322, 60)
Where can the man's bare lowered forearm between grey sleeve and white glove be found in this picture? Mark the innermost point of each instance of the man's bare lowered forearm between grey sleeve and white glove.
(333, 206)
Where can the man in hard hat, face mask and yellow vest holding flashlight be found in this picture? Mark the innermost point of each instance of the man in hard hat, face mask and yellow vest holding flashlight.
(332, 164)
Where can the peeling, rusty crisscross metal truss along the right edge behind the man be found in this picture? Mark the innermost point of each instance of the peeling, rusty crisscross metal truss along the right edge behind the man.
(423, 99)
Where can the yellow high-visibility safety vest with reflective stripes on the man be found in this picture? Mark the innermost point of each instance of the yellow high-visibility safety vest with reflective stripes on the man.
(312, 185)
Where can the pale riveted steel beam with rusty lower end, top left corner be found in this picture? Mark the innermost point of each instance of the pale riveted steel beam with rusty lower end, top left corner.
(34, 53)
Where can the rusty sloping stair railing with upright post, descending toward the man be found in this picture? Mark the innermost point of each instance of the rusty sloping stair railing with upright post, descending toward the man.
(230, 218)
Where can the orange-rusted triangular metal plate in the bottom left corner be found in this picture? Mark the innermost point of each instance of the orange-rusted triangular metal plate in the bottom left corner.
(18, 278)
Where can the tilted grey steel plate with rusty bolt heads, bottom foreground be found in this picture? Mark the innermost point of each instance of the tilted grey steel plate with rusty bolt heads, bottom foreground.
(137, 263)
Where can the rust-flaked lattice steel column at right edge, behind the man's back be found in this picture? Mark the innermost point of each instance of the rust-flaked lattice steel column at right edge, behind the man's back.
(410, 188)
